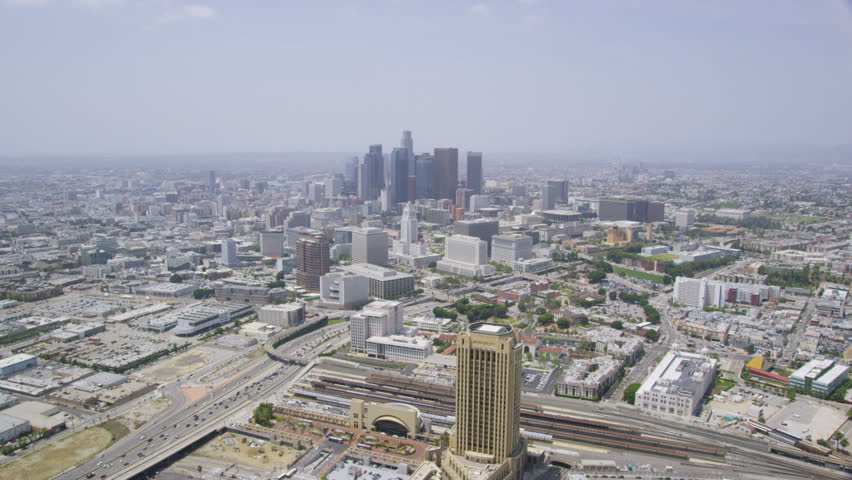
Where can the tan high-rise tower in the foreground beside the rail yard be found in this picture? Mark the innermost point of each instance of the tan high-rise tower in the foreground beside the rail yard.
(488, 405)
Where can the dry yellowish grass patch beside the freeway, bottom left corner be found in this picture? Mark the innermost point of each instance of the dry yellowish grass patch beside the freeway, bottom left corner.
(54, 459)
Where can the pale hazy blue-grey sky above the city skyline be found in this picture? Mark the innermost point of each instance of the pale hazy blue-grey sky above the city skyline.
(163, 76)
